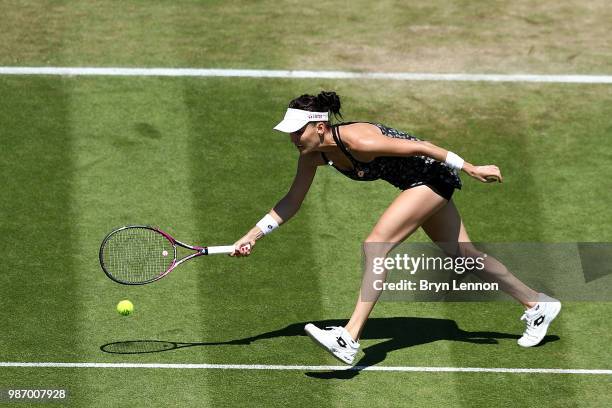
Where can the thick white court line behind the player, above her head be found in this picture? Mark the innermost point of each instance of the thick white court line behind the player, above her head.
(252, 73)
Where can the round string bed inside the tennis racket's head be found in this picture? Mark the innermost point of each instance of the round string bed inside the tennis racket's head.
(137, 255)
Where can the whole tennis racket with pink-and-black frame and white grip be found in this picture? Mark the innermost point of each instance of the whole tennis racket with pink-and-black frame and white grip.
(140, 254)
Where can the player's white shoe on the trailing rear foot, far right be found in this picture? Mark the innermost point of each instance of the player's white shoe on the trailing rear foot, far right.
(538, 318)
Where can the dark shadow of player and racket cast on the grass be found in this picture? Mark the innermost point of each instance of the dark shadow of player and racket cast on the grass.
(398, 333)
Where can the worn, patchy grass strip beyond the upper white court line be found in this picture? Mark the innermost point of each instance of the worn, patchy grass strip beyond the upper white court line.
(388, 35)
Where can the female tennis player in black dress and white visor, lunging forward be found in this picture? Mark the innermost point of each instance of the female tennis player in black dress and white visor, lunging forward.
(427, 176)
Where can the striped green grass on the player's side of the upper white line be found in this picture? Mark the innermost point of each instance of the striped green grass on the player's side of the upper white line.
(198, 157)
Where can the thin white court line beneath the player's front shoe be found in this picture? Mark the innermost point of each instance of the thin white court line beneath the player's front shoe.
(310, 368)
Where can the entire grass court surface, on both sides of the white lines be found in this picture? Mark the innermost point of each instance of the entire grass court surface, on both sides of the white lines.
(198, 157)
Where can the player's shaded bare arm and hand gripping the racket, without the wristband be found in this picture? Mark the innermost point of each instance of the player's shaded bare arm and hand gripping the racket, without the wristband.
(287, 206)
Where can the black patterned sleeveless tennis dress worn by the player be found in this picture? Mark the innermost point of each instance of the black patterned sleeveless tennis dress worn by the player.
(402, 172)
